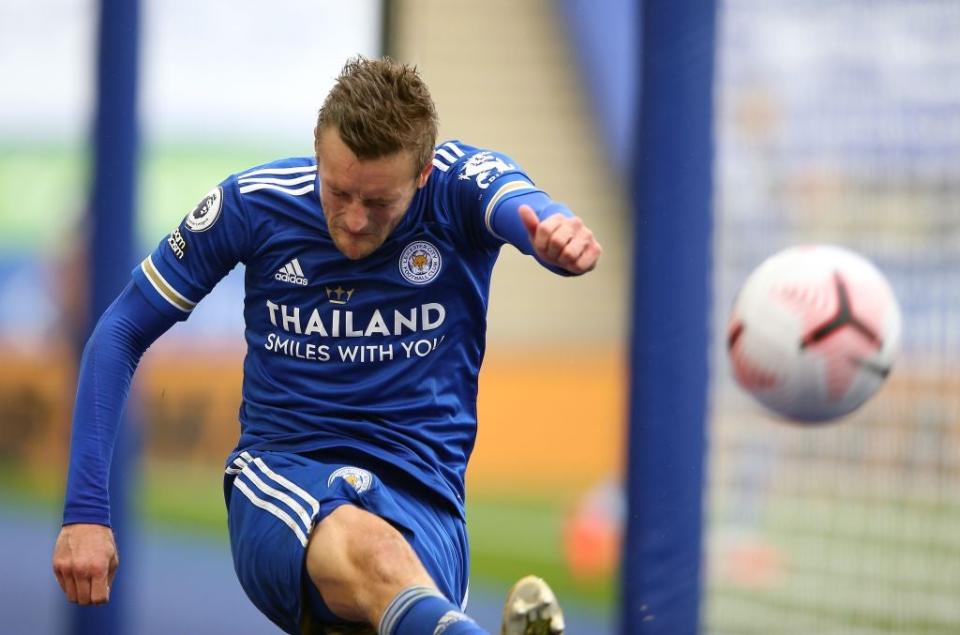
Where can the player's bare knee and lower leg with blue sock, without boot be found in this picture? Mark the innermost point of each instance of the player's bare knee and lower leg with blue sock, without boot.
(366, 571)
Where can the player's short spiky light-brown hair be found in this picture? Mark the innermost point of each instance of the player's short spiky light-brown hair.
(379, 107)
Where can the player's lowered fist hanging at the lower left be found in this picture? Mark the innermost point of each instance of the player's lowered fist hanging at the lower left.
(85, 560)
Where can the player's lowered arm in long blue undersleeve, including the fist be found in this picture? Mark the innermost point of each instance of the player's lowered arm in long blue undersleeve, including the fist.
(85, 556)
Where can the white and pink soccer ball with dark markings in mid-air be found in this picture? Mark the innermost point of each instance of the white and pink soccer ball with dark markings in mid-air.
(813, 332)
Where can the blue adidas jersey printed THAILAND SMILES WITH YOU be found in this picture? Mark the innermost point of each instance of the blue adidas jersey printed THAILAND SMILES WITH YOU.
(380, 355)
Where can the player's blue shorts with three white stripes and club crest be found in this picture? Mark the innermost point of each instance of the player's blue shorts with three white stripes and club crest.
(274, 499)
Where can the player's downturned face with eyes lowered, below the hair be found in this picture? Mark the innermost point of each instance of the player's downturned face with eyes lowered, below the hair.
(363, 200)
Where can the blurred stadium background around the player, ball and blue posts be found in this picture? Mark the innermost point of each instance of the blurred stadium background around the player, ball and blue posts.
(834, 121)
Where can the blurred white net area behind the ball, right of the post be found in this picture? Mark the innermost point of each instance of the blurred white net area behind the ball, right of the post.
(839, 121)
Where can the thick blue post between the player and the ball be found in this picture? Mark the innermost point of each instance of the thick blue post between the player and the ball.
(671, 188)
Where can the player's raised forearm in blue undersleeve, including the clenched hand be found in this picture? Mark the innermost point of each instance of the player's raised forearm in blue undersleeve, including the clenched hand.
(537, 225)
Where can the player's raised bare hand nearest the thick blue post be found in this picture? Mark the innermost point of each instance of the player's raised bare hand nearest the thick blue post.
(562, 241)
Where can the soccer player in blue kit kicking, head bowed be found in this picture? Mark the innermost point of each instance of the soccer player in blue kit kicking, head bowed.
(367, 275)
